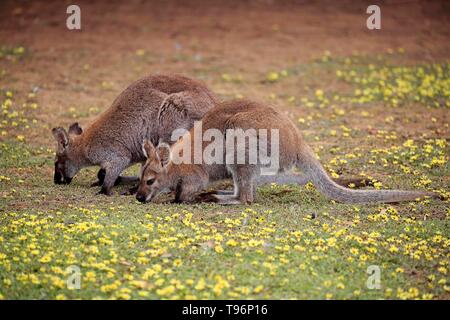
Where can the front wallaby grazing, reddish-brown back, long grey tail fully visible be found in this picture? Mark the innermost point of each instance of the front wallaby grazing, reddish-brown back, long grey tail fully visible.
(187, 178)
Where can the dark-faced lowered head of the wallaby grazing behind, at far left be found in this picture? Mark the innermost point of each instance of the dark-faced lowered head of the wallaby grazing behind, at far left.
(66, 165)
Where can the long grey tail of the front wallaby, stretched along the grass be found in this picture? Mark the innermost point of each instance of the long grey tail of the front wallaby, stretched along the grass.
(309, 164)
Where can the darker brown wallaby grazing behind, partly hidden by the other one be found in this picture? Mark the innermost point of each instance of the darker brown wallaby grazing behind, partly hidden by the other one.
(150, 108)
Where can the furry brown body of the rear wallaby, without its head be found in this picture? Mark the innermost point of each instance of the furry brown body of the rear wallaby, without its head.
(135, 114)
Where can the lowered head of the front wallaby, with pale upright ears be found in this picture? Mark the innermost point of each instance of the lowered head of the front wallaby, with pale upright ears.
(155, 176)
